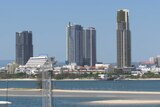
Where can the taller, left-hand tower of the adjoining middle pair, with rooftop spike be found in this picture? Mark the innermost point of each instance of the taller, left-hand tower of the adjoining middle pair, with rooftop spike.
(75, 44)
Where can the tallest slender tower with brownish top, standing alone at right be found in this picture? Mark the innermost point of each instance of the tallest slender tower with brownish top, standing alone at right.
(123, 39)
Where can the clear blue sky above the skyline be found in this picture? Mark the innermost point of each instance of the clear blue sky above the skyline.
(47, 19)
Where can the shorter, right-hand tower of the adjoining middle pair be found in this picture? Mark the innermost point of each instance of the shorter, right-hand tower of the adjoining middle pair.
(89, 46)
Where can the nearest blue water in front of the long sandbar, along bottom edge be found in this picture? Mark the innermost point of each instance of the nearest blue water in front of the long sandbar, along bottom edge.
(63, 102)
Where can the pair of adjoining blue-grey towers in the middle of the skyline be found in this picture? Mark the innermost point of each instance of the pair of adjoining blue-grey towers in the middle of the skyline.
(81, 45)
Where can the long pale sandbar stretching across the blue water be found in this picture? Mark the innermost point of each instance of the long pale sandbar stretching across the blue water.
(109, 97)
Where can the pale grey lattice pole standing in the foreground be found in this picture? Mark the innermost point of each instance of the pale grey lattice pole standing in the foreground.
(47, 70)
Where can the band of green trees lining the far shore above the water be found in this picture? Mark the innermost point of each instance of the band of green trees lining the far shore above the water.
(85, 75)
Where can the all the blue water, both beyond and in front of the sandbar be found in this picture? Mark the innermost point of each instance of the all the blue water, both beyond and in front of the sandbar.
(127, 85)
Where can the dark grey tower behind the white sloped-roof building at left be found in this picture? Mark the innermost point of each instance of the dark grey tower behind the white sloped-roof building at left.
(24, 47)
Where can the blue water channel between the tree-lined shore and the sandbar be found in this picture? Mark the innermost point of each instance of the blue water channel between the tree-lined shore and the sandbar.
(122, 85)
